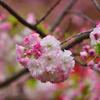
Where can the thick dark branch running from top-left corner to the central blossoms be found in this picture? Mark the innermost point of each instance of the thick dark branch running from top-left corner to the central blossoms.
(20, 19)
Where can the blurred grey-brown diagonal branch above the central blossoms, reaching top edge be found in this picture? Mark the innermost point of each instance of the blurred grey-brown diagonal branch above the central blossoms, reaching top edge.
(62, 15)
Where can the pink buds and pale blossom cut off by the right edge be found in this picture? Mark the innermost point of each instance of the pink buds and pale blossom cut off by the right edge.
(95, 43)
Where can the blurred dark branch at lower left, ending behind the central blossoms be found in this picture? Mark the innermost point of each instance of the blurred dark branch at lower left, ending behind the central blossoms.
(13, 78)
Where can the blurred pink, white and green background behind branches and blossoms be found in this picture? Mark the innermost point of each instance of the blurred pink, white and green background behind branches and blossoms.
(83, 84)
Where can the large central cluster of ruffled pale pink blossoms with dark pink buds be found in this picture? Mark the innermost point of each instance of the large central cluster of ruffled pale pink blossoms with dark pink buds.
(45, 59)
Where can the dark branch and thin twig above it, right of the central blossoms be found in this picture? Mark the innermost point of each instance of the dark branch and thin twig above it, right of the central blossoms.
(81, 36)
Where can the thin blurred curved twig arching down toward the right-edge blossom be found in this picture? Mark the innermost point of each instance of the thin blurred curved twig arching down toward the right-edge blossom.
(83, 16)
